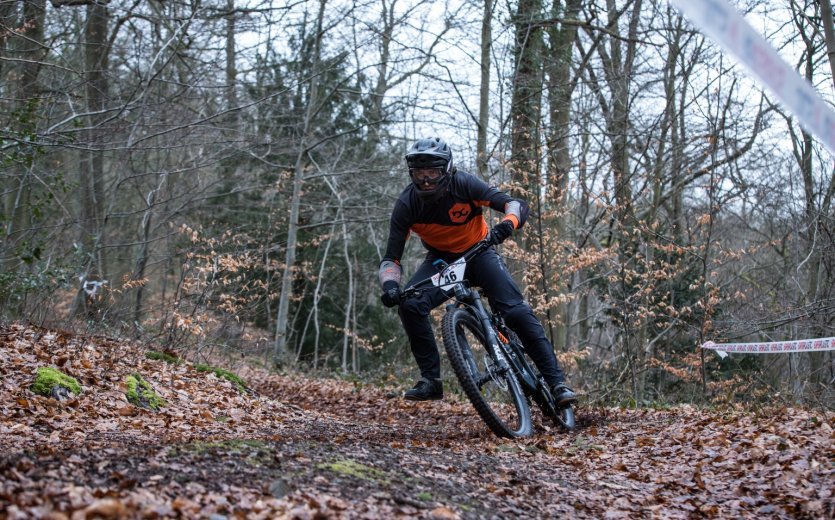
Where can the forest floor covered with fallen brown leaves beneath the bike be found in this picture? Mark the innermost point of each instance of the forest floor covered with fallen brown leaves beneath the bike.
(298, 447)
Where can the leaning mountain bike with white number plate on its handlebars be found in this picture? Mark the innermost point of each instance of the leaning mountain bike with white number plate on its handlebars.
(487, 357)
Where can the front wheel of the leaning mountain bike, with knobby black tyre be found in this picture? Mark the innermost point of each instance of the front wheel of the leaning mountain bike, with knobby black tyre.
(485, 376)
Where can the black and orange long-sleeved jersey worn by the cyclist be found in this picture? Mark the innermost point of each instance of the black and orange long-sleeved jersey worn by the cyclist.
(451, 225)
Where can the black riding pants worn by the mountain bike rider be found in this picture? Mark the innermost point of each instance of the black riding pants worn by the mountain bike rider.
(489, 272)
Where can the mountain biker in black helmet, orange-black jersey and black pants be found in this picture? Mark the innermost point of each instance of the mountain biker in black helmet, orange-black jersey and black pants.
(443, 207)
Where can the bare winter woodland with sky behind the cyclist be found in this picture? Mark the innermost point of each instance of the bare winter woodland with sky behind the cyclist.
(217, 176)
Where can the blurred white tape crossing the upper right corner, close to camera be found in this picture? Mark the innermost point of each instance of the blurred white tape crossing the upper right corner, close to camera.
(729, 29)
